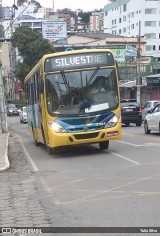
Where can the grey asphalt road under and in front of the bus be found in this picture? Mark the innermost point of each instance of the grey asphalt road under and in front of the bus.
(85, 186)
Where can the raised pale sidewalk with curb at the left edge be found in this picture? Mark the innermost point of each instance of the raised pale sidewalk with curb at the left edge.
(4, 162)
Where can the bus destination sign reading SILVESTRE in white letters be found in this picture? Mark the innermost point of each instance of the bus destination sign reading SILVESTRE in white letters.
(77, 61)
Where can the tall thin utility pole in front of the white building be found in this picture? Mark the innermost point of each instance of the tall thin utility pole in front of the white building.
(138, 80)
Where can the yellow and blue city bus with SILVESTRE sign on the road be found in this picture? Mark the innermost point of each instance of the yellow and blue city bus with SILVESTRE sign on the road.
(73, 98)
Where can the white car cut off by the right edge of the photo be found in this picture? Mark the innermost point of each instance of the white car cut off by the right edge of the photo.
(152, 120)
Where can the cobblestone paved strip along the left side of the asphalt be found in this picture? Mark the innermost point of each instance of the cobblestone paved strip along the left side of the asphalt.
(24, 201)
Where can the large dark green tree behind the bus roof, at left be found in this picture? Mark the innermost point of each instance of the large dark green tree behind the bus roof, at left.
(31, 47)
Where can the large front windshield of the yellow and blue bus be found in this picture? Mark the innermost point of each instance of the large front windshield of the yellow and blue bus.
(80, 92)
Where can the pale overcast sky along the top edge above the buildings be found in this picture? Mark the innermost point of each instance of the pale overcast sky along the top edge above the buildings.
(85, 5)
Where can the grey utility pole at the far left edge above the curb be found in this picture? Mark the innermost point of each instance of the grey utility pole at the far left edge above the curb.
(2, 104)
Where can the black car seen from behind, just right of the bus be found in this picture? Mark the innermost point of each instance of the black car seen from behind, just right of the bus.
(131, 112)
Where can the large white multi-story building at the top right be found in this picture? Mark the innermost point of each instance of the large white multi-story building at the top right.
(135, 18)
